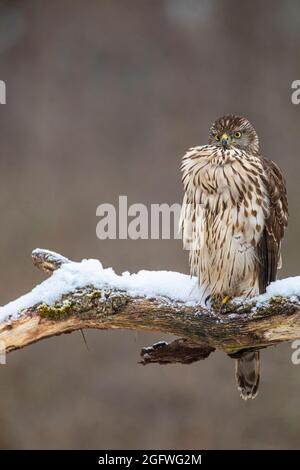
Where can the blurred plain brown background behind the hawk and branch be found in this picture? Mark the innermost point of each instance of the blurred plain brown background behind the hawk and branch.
(103, 98)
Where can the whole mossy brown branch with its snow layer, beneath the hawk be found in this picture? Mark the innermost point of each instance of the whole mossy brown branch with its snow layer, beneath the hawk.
(85, 295)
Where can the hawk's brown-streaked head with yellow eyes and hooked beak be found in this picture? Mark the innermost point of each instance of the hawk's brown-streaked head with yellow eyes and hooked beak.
(234, 131)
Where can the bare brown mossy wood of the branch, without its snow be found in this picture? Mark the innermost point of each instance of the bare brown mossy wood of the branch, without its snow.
(239, 326)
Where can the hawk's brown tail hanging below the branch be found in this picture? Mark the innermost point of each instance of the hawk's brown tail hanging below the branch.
(247, 374)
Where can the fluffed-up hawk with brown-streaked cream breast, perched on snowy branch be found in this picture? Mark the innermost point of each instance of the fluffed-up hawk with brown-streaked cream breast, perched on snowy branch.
(233, 218)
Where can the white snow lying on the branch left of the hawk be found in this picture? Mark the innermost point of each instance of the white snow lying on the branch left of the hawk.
(72, 275)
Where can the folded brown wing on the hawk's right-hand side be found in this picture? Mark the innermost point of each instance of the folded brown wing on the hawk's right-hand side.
(268, 249)
